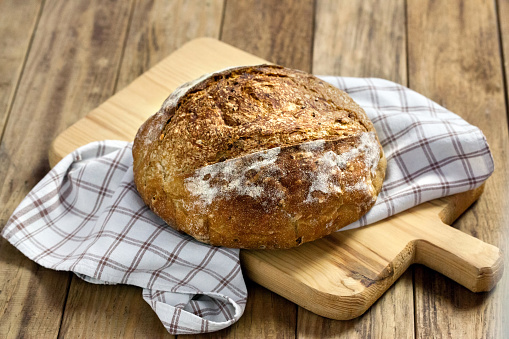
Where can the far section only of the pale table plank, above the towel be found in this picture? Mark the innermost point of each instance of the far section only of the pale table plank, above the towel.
(361, 39)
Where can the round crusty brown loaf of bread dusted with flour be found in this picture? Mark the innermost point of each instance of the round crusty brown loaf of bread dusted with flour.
(258, 157)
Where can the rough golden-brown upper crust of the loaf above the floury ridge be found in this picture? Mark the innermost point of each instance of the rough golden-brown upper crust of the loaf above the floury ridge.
(248, 109)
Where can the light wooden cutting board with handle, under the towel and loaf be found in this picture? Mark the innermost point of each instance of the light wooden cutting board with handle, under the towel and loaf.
(339, 276)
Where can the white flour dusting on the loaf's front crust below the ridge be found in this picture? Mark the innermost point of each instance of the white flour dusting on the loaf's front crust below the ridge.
(248, 175)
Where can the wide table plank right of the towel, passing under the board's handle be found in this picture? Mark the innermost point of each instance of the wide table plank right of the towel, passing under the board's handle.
(454, 58)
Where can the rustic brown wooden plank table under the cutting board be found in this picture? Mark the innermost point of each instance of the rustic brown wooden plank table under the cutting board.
(60, 59)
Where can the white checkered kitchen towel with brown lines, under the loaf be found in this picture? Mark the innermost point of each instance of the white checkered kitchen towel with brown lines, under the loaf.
(85, 216)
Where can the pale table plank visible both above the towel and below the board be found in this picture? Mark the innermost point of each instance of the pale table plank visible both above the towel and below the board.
(364, 39)
